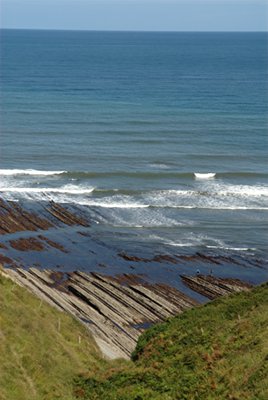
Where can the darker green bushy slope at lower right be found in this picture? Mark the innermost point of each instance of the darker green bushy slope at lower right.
(217, 351)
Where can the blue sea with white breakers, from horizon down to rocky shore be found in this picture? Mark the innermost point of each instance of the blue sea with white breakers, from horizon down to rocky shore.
(128, 126)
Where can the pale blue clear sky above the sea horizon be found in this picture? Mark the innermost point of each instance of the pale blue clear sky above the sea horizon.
(137, 15)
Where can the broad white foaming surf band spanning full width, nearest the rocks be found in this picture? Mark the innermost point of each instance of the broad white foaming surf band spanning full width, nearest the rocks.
(210, 194)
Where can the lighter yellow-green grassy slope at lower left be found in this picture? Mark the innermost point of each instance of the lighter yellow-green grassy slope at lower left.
(41, 349)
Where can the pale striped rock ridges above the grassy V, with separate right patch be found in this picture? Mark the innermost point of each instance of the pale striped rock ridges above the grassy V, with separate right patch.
(117, 309)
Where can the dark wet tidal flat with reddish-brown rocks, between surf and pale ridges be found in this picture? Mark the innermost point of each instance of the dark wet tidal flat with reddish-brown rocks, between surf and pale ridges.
(63, 237)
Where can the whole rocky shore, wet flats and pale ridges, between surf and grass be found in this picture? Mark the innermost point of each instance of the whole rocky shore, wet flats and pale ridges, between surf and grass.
(116, 302)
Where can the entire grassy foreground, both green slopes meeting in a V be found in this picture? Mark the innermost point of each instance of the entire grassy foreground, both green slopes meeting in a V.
(216, 351)
